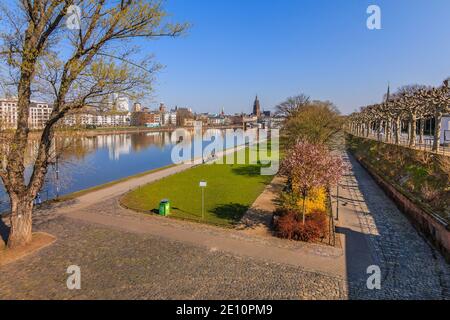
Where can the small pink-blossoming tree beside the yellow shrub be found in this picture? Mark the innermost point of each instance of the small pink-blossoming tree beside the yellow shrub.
(310, 166)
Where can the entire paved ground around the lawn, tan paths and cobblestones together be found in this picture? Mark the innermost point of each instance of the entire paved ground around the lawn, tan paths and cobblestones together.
(128, 255)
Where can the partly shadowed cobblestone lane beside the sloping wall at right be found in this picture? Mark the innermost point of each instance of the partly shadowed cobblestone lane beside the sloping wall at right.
(411, 268)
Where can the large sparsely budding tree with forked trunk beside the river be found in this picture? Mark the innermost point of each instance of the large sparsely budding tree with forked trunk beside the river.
(78, 67)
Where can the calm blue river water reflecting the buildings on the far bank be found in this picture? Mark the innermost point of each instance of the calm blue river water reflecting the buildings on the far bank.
(88, 161)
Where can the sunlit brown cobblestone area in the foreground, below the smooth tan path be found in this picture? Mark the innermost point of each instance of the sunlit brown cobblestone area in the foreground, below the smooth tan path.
(120, 265)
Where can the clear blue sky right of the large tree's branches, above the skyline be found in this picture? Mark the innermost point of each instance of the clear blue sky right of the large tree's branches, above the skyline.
(239, 48)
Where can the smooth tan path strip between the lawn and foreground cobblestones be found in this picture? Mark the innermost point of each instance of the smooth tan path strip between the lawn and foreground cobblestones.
(311, 257)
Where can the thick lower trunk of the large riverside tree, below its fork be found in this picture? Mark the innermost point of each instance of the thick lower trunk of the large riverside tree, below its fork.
(21, 222)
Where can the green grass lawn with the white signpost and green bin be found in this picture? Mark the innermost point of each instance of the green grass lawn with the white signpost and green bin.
(230, 192)
